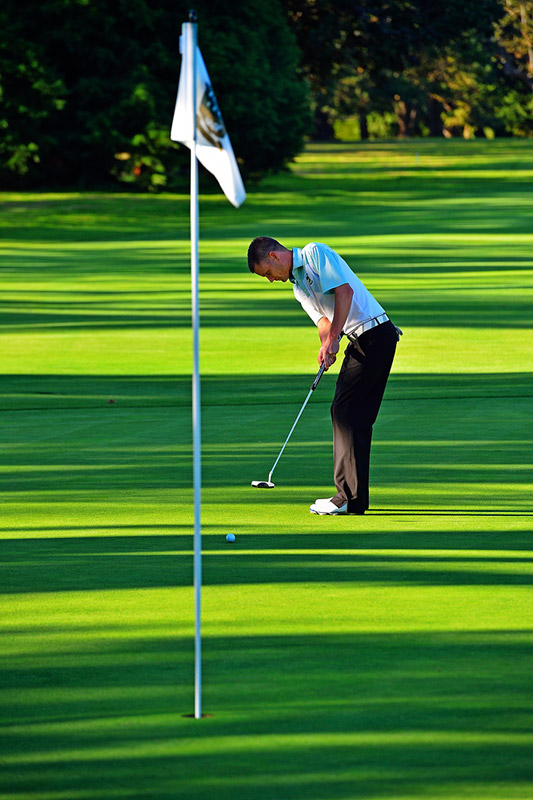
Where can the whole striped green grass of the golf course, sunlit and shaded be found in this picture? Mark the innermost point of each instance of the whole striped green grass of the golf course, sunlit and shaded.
(385, 656)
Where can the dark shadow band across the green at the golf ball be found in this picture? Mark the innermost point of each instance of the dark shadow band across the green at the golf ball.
(133, 562)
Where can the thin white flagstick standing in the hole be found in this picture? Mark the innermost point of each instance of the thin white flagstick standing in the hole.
(196, 419)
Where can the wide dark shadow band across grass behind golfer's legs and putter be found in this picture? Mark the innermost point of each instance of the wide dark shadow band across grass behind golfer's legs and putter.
(434, 431)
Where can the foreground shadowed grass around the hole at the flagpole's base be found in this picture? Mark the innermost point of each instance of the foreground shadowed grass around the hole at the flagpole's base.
(309, 717)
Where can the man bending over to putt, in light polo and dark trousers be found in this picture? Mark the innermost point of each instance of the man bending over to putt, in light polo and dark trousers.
(338, 304)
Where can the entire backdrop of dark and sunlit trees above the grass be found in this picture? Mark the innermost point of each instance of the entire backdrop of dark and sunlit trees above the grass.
(87, 87)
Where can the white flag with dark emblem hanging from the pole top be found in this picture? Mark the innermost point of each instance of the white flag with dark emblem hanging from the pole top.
(213, 147)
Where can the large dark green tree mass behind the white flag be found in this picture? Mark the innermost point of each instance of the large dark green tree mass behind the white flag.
(88, 88)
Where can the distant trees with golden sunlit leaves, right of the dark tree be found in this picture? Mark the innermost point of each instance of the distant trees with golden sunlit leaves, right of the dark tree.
(427, 67)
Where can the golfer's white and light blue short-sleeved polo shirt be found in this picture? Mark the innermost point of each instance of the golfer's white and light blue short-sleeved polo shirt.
(317, 270)
